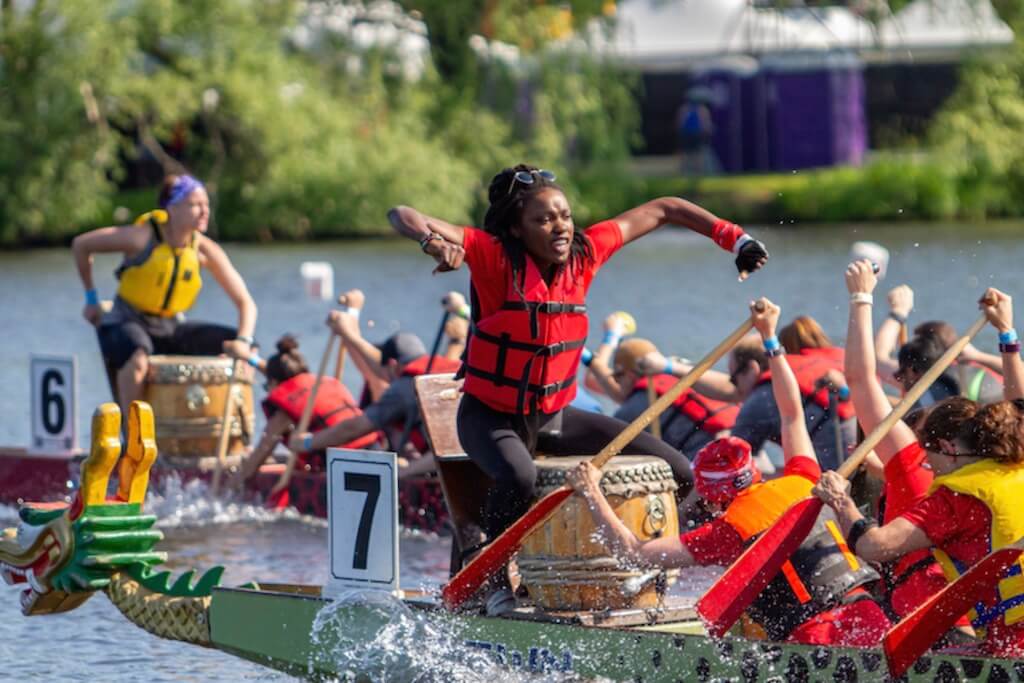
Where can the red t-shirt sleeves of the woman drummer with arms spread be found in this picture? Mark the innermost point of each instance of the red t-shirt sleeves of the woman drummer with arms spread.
(489, 266)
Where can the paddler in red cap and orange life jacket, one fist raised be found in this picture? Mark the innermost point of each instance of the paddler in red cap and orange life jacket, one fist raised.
(820, 596)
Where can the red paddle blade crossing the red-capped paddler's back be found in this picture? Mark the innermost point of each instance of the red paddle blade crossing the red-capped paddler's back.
(751, 574)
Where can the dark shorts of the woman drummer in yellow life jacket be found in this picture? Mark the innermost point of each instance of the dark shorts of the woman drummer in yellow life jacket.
(120, 340)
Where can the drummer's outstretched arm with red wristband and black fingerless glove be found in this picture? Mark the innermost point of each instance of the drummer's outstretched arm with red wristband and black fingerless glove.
(637, 223)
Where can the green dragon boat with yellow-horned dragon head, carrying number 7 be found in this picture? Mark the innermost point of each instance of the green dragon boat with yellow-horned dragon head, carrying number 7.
(63, 554)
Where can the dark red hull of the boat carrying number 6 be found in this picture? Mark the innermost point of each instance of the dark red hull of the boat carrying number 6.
(50, 478)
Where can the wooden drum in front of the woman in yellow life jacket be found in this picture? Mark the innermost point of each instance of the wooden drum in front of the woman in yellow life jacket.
(188, 395)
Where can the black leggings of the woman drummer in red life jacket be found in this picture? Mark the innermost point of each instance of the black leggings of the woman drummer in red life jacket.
(502, 446)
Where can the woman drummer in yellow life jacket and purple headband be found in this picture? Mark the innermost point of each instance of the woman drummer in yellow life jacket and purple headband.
(164, 251)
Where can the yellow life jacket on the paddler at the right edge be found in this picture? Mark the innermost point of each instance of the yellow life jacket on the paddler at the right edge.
(1000, 487)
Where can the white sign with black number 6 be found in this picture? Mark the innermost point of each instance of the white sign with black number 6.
(55, 414)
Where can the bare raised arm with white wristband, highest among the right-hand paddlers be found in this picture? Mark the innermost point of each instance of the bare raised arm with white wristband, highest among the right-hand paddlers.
(870, 401)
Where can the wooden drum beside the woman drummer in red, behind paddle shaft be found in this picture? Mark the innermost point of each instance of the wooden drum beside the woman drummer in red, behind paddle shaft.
(563, 565)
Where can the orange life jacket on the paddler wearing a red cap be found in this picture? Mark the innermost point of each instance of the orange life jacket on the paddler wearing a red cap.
(821, 573)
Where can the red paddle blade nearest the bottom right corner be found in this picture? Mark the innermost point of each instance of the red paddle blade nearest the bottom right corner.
(907, 642)
